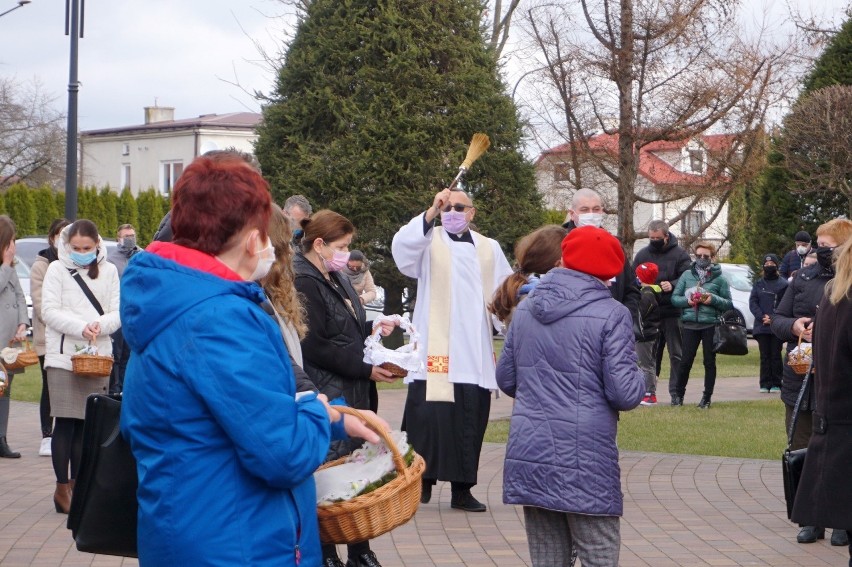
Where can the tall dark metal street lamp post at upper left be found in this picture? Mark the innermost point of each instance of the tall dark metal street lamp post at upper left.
(74, 28)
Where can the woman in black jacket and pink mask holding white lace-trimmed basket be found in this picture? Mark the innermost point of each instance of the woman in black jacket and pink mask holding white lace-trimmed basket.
(333, 349)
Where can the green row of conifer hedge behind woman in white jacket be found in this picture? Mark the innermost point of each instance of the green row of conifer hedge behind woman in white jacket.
(33, 210)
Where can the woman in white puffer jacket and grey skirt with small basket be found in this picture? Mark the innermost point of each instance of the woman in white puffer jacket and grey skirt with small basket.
(79, 307)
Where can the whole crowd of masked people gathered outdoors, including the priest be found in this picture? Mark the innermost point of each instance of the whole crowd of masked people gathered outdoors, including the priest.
(219, 444)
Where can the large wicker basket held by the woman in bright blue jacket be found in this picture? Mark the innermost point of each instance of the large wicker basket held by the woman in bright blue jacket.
(370, 515)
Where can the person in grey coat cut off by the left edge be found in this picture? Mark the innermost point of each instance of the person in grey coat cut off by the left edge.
(13, 321)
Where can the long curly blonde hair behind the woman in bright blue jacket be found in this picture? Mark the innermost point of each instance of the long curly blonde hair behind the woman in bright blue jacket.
(280, 282)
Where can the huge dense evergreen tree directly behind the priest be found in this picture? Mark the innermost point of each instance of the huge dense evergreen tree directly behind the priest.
(372, 114)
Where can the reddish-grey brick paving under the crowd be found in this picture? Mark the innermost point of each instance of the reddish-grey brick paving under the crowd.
(679, 510)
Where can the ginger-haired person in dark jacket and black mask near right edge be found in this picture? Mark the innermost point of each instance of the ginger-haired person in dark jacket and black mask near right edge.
(793, 319)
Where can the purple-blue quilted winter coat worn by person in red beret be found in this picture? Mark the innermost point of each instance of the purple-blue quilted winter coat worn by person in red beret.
(570, 363)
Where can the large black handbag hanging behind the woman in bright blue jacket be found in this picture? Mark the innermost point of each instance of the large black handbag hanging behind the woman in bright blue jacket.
(103, 511)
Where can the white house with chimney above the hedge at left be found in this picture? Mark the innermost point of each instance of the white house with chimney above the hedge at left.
(154, 154)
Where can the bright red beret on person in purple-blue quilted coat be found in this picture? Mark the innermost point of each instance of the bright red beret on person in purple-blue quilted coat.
(593, 251)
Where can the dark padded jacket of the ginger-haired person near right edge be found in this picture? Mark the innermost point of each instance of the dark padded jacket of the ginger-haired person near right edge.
(800, 300)
